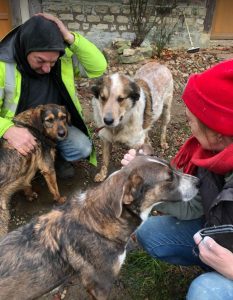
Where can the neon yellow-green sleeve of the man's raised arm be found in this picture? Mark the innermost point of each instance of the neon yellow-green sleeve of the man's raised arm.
(90, 62)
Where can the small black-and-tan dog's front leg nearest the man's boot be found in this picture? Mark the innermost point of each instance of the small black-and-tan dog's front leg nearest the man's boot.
(50, 177)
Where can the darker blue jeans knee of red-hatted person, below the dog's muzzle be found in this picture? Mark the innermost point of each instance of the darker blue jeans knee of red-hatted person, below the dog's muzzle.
(169, 239)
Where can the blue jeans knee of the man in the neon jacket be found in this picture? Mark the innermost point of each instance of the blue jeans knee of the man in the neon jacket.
(76, 146)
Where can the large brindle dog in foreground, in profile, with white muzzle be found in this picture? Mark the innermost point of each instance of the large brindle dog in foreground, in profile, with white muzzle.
(87, 236)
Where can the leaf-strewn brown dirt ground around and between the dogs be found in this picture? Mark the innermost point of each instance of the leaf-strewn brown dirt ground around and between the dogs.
(181, 65)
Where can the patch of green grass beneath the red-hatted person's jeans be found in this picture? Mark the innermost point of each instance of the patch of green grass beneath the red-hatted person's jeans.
(147, 278)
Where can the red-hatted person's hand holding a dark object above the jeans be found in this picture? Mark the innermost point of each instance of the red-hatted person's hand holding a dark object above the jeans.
(215, 256)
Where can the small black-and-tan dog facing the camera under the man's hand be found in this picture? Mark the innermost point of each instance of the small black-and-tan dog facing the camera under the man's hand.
(48, 123)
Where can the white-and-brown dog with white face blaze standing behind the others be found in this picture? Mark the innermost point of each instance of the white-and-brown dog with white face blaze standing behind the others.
(125, 109)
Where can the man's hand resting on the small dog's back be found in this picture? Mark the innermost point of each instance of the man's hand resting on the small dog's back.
(20, 139)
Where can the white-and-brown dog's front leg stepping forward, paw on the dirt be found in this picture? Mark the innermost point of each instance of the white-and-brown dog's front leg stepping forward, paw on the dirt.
(106, 152)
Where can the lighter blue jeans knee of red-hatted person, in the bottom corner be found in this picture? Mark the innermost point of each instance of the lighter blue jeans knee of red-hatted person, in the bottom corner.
(211, 286)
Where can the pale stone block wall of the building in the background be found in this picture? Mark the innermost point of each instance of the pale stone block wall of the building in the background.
(104, 21)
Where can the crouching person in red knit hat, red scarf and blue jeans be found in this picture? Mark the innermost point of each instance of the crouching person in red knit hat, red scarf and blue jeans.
(207, 154)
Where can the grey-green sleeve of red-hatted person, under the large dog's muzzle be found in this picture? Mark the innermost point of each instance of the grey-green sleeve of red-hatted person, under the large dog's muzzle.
(192, 209)
